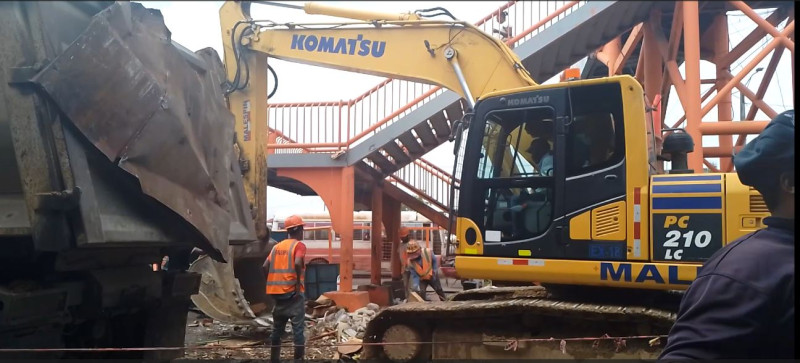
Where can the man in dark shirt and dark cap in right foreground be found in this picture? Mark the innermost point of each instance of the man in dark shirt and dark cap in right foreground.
(741, 305)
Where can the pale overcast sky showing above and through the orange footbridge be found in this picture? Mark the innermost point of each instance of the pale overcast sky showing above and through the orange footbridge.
(195, 25)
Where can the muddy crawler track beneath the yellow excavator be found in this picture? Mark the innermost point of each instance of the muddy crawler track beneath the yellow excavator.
(521, 322)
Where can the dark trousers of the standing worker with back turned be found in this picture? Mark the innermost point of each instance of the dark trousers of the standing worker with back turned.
(289, 309)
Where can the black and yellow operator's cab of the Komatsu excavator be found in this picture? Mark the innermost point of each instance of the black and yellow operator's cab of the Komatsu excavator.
(590, 131)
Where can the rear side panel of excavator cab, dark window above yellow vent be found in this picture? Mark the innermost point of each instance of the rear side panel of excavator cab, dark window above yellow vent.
(593, 162)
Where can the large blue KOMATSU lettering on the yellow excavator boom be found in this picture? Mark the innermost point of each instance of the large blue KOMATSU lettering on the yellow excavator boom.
(347, 46)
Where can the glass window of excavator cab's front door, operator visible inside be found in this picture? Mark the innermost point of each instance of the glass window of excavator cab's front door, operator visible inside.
(516, 161)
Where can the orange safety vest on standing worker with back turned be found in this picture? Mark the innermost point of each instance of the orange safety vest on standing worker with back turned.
(282, 277)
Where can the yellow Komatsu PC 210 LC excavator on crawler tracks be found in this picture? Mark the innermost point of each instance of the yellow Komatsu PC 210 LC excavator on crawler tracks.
(558, 185)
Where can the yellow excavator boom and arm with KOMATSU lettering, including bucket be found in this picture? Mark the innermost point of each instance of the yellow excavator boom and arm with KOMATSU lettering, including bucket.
(452, 54)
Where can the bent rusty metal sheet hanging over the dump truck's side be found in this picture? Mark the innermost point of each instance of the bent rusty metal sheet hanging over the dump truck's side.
(148, 109)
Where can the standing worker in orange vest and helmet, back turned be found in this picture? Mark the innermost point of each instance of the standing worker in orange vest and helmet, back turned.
(285, 269)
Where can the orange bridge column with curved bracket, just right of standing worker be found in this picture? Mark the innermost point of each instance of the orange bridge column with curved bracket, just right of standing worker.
(336, 187)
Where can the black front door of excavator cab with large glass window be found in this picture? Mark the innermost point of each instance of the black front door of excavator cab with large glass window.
(505, 188)
